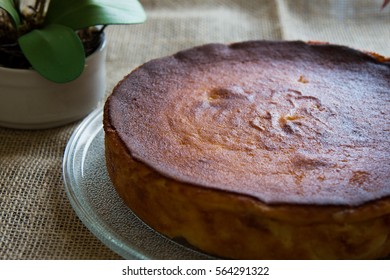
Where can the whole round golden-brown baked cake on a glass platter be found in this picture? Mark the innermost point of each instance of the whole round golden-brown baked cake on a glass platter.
(257, 150)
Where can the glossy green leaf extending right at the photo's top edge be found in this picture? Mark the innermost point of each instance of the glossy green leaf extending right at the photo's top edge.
(85, 13)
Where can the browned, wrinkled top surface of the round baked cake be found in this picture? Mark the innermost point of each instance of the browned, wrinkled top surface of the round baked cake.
(282, 122)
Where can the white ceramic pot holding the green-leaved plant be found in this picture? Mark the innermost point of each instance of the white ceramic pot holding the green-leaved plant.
(29, 101)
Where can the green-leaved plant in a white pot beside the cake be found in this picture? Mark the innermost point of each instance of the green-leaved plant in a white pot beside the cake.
(52, 58)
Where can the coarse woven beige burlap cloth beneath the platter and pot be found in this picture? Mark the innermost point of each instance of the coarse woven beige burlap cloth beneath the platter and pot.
(37, 221)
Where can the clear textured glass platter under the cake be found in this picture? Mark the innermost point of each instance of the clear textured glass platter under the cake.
(98, 206)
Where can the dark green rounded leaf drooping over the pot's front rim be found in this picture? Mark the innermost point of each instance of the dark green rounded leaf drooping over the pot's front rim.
(55, 52)
